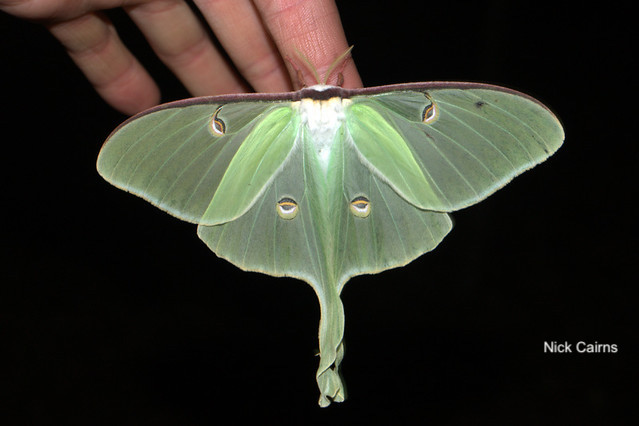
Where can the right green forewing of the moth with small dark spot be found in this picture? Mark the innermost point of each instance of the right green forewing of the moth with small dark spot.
(466, 141)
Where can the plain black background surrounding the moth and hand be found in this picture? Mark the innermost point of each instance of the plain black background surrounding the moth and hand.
(116, 313)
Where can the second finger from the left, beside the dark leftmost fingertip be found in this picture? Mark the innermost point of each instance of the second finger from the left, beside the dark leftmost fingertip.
(180, 41)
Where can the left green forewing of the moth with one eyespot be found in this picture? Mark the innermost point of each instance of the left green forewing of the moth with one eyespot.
(176, 156)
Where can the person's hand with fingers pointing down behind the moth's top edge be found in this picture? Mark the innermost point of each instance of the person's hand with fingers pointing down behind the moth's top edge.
(259, 36)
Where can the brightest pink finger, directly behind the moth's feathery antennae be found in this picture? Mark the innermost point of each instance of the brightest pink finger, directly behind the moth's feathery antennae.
(315, 29)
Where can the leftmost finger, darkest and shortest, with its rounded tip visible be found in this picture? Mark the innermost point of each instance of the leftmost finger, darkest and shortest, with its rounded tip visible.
(93, 44)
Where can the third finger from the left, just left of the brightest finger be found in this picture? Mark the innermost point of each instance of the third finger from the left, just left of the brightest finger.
(238, 27)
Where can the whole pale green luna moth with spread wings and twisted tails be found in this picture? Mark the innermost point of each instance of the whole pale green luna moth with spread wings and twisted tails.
(327, 183)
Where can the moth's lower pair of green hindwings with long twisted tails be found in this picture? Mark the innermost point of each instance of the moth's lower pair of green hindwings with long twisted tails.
(328, 241)
